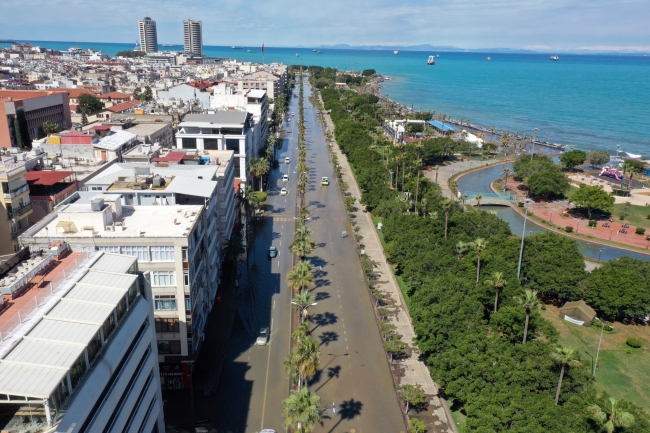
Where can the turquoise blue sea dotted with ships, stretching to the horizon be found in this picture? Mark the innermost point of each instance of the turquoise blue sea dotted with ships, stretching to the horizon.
(589, 101)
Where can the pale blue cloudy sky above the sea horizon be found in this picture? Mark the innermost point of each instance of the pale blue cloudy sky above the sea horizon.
(544, 25)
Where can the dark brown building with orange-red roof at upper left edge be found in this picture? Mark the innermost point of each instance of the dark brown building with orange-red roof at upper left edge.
(23, 111)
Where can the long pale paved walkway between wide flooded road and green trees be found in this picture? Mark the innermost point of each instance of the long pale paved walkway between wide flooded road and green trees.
(411, 369)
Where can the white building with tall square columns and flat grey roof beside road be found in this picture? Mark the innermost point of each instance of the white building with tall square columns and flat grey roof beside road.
(223, 130)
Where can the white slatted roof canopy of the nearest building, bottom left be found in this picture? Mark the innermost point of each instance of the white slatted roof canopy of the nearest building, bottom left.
(33, 364)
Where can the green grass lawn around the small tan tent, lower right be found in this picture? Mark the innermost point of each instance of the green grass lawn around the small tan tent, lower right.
(620, 374)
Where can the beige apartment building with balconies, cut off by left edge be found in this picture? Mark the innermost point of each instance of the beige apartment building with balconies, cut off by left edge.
(15, 205)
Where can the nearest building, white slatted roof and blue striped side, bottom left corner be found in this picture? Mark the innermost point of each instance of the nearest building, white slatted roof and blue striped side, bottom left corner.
(85, 361)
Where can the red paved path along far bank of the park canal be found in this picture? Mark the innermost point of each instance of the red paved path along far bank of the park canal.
(552, 212)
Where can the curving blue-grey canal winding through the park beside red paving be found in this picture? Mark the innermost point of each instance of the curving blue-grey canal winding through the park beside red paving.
(479, 181)
